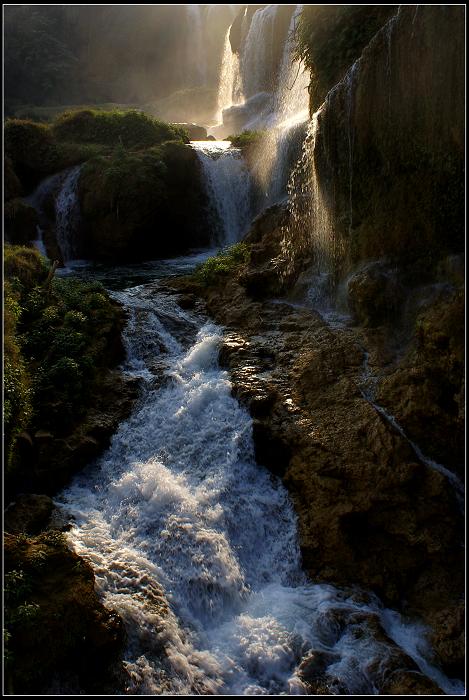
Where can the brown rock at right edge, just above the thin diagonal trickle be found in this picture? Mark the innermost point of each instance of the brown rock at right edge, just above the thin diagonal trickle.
(424, 391)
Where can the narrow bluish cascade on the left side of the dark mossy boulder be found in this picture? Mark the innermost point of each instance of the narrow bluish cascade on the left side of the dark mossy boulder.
(67, 216)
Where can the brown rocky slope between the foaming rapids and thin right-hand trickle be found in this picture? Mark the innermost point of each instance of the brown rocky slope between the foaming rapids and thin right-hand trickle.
(371, 513)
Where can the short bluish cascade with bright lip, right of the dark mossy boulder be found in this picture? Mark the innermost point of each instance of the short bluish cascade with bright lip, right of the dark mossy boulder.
(228, 185)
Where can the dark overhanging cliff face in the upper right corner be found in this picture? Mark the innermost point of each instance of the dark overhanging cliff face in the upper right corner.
(389, 150)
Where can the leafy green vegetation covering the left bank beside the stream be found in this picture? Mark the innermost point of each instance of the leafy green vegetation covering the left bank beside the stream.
(59, 336)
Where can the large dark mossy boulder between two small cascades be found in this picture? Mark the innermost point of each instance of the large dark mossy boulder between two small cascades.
(144, 205)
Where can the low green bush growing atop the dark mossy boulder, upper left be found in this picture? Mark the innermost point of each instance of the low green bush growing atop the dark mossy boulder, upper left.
(131, 129)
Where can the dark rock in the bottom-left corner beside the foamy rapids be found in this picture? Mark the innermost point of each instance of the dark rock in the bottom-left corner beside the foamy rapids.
(60, 639)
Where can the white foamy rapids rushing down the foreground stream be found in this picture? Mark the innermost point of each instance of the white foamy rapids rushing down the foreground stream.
(195, 546)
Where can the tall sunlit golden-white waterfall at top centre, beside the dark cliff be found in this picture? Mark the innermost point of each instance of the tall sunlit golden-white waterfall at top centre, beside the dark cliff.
(265, 100)
